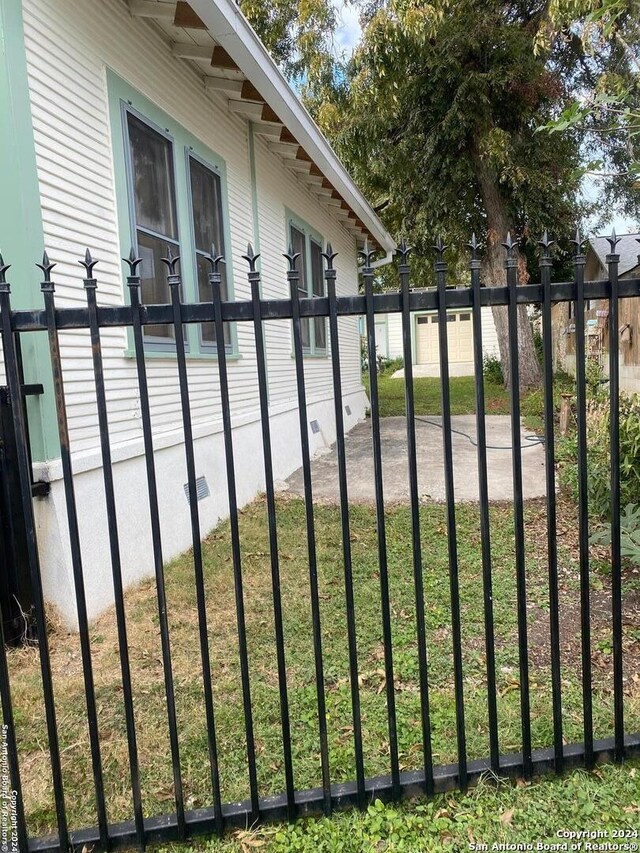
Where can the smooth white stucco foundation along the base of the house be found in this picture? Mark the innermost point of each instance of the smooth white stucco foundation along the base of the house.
(130, 484)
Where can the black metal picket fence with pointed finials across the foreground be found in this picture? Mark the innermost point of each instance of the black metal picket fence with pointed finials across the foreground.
(180, 824)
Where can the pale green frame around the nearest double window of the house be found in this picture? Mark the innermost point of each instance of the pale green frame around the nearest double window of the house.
(124, 99)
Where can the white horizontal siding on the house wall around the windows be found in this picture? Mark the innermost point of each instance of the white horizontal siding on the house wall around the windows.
(76, 177)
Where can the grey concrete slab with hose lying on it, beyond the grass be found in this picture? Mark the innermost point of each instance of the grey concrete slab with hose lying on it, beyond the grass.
(430, 463)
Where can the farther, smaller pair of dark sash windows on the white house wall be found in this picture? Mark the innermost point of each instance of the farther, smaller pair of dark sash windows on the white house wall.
(310, 266)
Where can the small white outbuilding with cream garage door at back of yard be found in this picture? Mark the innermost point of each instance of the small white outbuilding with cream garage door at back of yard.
(424, 340)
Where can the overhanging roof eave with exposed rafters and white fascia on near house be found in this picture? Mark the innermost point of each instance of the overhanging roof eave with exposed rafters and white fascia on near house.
(216, 38)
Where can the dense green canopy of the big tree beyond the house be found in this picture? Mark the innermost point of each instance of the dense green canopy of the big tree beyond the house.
(437, 121)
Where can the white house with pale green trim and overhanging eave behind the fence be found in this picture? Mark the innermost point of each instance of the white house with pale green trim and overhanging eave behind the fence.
(147, 123)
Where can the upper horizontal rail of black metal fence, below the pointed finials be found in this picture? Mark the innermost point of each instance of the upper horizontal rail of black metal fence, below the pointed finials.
(386, 302)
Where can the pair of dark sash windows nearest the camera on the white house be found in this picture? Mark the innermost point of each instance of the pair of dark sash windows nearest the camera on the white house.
(159, 187)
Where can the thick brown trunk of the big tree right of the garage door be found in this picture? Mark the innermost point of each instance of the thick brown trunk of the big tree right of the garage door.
(494, 274)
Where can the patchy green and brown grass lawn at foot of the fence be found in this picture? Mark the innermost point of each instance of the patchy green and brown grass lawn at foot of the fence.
(354, 830)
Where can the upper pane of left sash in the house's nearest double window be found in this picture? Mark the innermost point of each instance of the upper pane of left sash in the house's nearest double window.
(152, 164)
